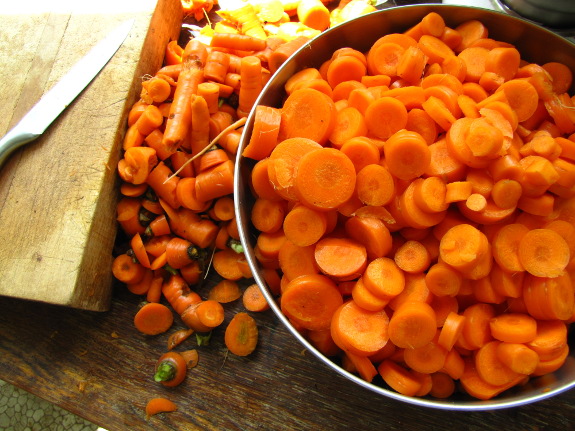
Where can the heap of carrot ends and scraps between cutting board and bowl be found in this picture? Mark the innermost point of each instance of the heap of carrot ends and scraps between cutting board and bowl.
(176, 207)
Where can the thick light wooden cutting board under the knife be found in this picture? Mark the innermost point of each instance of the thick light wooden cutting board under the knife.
(58, 194)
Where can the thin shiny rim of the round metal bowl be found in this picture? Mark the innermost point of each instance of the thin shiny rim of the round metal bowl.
(240, 185)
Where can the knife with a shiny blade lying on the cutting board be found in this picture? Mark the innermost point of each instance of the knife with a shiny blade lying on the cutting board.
(51, 105)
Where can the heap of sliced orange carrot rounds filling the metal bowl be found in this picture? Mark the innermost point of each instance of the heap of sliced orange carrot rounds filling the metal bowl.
(418, 202)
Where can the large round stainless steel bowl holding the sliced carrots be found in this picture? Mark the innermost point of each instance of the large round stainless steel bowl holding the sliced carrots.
(536, 45)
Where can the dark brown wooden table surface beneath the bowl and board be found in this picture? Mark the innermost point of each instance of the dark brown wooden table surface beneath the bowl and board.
(99, 367)
